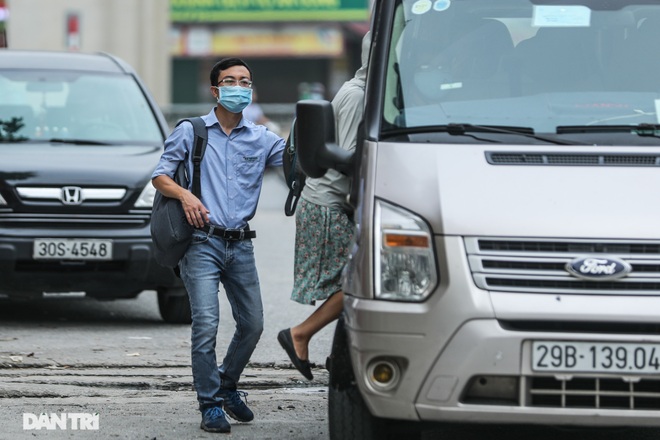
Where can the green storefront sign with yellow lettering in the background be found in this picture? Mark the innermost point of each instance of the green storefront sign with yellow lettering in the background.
(268, 10)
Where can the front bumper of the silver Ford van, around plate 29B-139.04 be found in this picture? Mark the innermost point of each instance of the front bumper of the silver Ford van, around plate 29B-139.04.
(440, 374)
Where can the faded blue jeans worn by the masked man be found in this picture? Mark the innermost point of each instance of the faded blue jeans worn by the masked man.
(209, 261)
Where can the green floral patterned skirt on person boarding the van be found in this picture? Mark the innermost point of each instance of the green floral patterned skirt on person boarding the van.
(323, 239)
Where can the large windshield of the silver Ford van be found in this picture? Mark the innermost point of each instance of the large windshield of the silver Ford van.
(549, 66)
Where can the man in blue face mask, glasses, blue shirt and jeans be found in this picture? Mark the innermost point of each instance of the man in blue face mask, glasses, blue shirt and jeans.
(232, 171)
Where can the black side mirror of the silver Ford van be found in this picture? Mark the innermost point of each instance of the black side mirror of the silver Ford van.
(315, 139)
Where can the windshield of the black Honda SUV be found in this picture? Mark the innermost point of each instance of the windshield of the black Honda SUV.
(74, 106)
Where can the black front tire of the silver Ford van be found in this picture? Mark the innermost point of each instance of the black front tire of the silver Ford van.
(348, 415)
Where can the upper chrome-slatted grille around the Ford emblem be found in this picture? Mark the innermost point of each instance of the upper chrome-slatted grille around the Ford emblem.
(539, 266)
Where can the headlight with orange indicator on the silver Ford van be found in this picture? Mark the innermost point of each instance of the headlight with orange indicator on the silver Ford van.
(405, 269)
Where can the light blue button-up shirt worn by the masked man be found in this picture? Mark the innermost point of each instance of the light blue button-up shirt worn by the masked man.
(232, 168)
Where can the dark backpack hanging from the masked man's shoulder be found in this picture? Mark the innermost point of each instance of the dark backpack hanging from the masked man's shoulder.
(171, 233)
